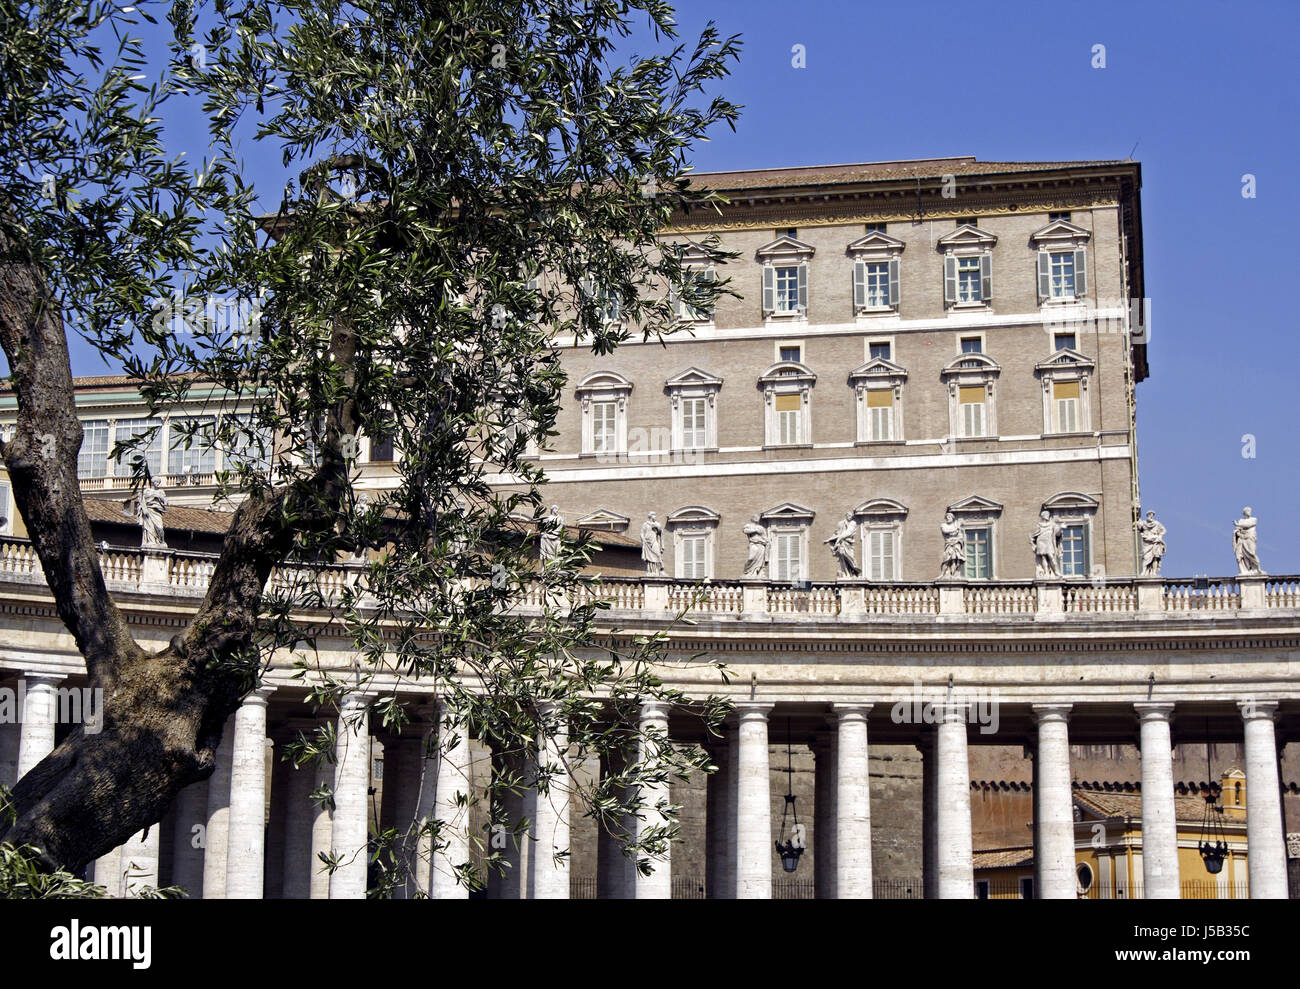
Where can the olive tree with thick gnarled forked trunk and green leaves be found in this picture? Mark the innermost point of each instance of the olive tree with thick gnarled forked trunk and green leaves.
(466, 184)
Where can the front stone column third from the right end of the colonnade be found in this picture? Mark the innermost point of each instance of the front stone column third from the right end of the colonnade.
(1054, 832)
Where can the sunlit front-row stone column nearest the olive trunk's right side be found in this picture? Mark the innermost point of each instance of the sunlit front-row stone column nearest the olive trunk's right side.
(246, 832)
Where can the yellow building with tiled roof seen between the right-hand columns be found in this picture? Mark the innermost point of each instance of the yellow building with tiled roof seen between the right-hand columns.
(1108, 847)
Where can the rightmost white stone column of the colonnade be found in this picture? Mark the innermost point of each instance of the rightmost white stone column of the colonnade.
(1267, 858)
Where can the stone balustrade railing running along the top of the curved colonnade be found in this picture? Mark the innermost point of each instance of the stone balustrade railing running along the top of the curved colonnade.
(188, 575)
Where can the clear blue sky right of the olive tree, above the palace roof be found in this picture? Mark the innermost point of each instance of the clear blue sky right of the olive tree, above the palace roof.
(1201, 93)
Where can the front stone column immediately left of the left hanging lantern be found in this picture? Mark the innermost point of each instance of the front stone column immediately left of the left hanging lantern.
(755, 848)
